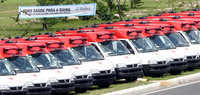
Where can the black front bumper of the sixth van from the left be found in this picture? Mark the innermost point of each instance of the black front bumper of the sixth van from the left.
(125, 72)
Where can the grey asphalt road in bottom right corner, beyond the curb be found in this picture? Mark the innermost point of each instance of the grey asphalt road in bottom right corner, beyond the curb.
(187, 89)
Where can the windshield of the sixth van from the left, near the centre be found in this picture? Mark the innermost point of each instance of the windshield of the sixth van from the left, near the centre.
(113, 48)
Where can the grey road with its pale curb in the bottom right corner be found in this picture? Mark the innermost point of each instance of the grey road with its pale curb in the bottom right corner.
(185, 85)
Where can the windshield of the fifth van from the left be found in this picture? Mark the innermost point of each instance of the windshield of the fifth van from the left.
(87, 53)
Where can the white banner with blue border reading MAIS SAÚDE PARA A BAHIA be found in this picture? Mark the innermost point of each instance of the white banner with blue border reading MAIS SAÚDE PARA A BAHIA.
(26, 12)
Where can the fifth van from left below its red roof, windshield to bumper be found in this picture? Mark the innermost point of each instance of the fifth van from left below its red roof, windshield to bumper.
(102, 71)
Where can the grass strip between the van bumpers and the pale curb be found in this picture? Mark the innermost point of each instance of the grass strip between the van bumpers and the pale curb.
(120, 85)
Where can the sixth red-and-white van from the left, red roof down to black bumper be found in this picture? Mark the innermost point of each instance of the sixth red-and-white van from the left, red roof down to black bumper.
(105, 43)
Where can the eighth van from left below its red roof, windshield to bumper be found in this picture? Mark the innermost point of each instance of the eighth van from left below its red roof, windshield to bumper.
(167, 48)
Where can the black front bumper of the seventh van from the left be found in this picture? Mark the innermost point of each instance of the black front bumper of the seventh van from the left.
(151, 69)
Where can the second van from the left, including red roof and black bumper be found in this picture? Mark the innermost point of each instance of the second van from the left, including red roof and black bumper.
(26, 69)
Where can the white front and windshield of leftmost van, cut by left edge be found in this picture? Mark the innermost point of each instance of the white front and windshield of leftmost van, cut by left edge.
(11, 82)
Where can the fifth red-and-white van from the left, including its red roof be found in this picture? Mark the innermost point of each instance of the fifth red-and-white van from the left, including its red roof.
(102, 71)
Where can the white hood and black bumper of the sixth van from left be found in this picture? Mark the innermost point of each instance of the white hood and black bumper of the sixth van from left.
(127, 64)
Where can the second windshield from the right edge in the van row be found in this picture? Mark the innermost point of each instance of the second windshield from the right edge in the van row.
(177, 39)
